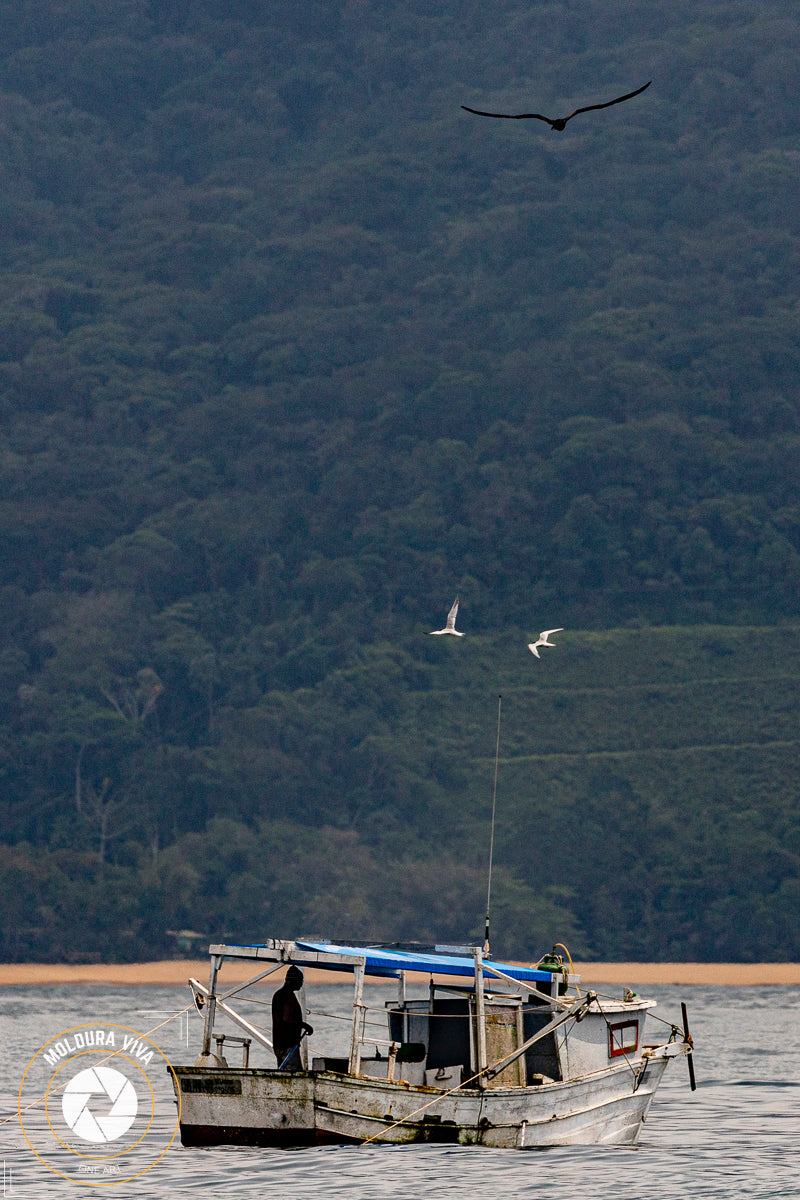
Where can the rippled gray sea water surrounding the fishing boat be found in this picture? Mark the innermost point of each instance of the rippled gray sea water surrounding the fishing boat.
(737, 1136)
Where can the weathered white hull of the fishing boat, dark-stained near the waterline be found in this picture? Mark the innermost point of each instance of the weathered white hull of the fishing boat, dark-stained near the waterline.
(272, 1108)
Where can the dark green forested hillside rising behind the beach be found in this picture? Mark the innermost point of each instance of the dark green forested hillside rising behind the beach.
(292, 352)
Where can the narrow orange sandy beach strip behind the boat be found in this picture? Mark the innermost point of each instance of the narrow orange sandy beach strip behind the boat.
(176, 973)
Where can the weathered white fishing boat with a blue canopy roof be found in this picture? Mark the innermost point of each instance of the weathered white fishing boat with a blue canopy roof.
(472, 1052)
